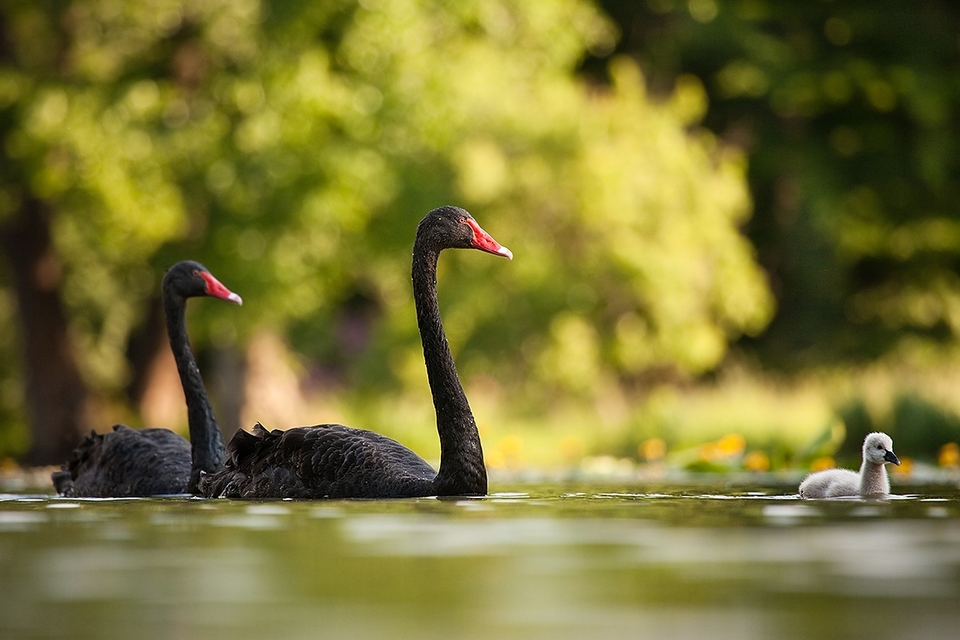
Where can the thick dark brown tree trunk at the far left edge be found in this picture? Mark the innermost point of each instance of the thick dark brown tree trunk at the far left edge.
(55, 392)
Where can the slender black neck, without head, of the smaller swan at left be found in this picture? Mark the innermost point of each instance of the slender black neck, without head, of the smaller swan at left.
(205, 441)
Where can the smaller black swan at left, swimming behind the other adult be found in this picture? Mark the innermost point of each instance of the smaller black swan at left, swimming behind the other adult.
(129, 462)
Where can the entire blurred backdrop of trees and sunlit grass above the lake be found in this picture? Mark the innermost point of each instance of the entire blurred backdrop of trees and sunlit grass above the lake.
(735, 222)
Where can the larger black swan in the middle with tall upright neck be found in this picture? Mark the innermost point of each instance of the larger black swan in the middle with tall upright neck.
(334, 461)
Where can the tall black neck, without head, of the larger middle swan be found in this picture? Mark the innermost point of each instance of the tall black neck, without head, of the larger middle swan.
(461, 457)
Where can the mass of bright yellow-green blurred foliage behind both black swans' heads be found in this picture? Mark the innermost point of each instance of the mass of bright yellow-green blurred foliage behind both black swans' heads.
(293, 146)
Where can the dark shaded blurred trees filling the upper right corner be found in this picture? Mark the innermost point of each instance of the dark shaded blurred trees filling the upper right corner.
(849, 113)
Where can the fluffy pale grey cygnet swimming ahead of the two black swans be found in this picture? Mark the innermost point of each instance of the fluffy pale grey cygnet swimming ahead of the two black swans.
(871, 481)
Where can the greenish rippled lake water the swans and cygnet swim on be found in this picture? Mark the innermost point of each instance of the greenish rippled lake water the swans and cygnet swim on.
(563, 561)
